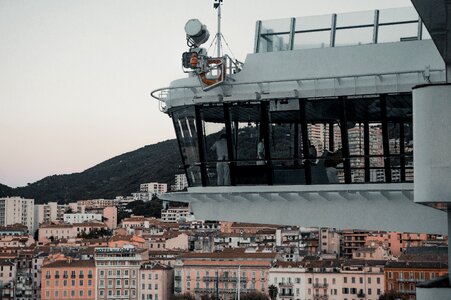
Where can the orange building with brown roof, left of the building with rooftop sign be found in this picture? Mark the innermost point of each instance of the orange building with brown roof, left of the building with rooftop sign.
(68, 279)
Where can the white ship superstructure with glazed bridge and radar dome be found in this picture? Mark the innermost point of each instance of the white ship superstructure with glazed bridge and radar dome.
(319, 126)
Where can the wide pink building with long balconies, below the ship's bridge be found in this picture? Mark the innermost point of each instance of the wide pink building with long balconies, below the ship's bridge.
(220, 273)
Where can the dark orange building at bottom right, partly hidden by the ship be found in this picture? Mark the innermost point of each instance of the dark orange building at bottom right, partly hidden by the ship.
(402, 276)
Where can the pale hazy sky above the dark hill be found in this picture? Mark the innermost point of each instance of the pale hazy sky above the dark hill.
(75, 76)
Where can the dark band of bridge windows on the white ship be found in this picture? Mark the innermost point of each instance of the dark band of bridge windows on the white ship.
(298, 141)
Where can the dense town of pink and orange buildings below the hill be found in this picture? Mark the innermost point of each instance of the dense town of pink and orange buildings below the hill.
(82, 250)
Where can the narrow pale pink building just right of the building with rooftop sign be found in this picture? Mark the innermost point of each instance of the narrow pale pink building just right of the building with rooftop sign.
(156, 282)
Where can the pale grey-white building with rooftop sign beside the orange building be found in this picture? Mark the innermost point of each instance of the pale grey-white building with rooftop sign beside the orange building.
(117, 272)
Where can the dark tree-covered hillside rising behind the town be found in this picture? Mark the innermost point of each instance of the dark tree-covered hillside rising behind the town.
(118, 176)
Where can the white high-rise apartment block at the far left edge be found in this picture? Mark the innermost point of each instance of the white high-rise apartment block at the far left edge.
(17, 210)
